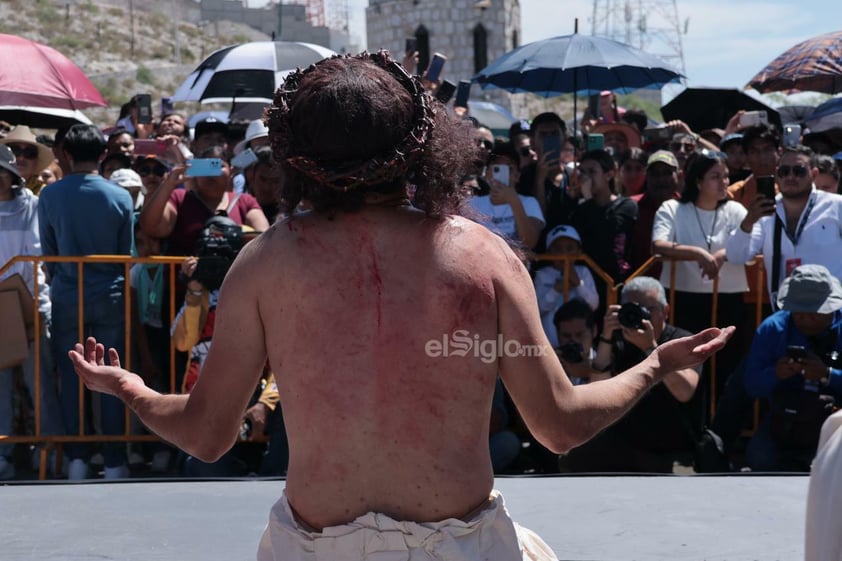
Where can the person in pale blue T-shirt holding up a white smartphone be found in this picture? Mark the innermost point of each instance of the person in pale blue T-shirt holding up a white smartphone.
(505, 211)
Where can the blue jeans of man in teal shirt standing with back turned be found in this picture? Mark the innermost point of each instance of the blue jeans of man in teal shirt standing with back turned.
(105, 320)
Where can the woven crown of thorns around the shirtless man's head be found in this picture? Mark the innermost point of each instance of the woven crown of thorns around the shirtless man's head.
(346, 176)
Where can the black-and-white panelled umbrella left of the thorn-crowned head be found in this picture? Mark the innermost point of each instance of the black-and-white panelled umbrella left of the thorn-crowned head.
(248, 72)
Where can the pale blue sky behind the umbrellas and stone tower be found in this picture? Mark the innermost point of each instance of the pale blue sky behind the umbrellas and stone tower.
(727, 41)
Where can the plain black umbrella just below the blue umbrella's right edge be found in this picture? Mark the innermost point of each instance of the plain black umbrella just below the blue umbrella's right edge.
(711, 108)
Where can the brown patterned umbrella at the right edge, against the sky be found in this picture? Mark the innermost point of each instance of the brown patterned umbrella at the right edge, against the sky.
(814, 65)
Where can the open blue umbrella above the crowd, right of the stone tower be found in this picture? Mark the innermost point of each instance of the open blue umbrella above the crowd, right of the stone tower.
(580, 64)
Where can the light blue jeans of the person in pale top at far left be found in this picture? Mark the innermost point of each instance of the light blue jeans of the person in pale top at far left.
(50, 409)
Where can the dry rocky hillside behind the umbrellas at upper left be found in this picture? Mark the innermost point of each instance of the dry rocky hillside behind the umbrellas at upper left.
(97, 36)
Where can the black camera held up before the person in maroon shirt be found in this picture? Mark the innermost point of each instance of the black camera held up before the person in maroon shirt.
(216, 247)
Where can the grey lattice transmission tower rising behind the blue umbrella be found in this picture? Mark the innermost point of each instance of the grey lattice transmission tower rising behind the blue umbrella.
(650, 25)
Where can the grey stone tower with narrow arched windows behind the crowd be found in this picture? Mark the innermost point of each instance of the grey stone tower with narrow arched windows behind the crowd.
(470, 33)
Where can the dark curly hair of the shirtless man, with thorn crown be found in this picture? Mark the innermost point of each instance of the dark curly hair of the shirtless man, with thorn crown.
(351, 126)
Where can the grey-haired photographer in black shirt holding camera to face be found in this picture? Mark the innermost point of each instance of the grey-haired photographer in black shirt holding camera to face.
(662, 427)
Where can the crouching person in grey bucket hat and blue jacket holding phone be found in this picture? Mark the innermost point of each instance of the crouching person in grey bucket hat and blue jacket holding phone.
(793, 364)
